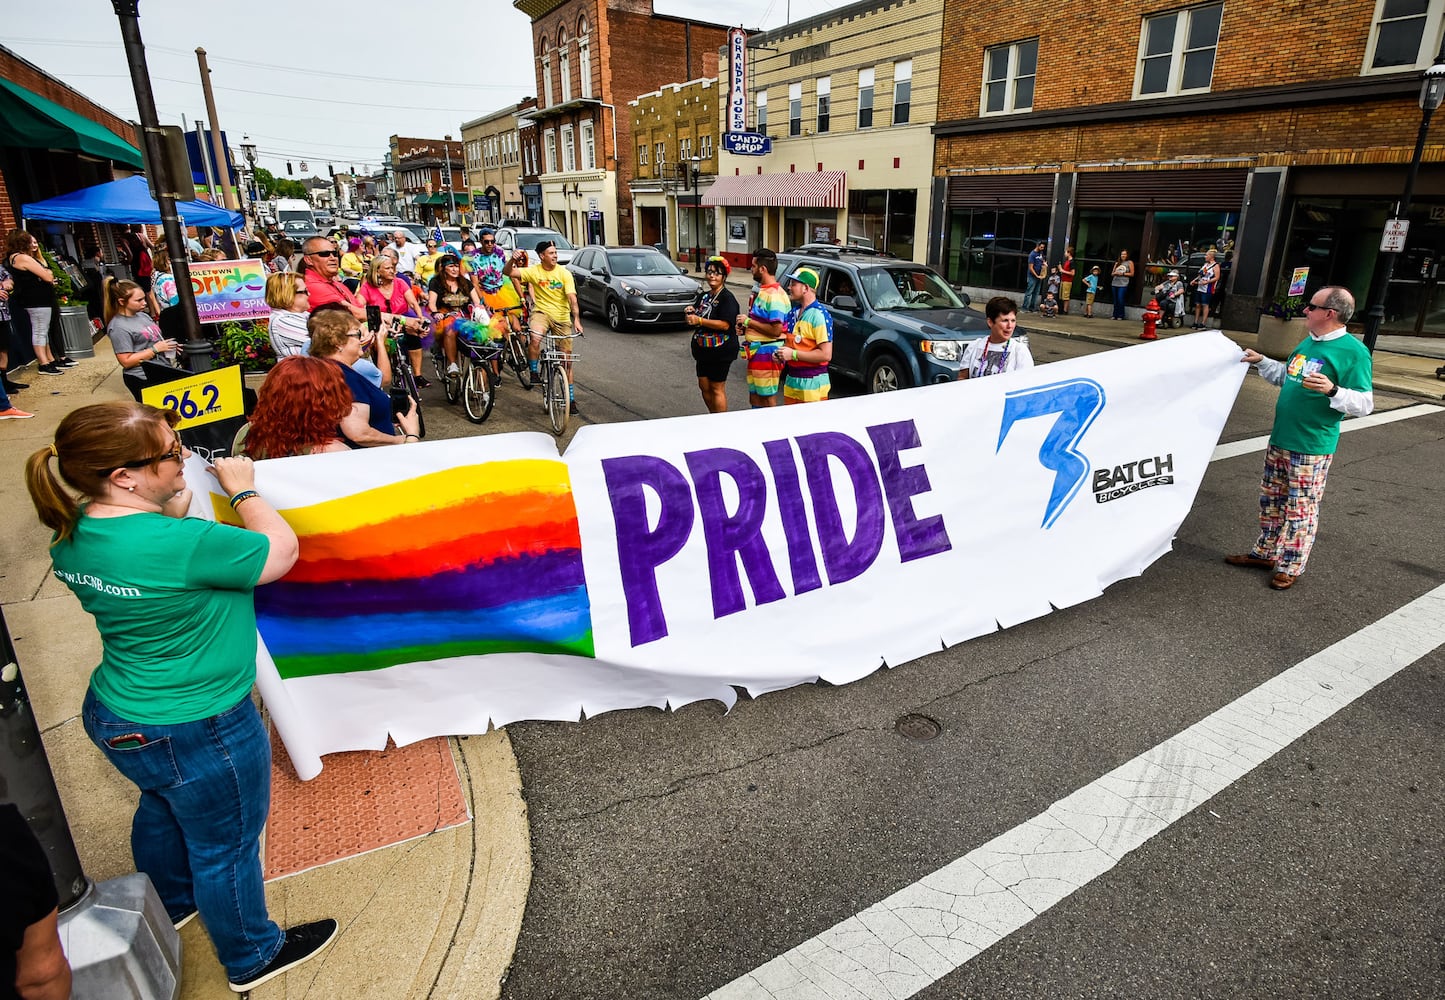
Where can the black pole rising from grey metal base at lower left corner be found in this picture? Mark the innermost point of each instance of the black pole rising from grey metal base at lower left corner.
(27, 780)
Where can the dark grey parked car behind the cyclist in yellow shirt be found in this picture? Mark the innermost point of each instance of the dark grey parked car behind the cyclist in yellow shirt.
(632, 285)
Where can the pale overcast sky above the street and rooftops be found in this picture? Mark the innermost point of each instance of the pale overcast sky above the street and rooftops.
(298, 77)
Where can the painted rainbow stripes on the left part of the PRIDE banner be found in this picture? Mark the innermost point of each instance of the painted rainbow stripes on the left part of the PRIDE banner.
(479, 560)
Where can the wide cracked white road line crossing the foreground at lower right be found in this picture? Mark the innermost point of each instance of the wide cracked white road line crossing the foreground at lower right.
(934, 927)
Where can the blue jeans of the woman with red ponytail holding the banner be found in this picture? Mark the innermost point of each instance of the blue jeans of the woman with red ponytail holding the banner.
(204, 797)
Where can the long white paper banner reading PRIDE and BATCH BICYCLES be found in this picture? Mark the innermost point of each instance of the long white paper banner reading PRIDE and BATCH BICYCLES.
(456, 585)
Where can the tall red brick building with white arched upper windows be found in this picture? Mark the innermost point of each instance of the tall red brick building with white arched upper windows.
(593, 56)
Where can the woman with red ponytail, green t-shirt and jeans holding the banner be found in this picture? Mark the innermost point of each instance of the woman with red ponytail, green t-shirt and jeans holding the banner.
(170, 704)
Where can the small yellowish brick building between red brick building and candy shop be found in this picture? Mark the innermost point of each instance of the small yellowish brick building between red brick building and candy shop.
(671, 126)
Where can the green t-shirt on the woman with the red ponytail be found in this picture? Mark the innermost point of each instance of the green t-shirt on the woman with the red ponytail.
(173, 600)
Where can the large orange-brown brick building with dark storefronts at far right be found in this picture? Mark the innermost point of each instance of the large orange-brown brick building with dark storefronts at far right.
(1277, 132)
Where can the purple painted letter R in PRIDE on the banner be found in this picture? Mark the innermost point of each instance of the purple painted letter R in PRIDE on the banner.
(733, 537)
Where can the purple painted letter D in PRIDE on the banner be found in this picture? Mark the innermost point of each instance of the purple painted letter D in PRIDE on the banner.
(843, 559)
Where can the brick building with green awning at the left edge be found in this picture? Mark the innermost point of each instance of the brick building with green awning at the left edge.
(54, 141)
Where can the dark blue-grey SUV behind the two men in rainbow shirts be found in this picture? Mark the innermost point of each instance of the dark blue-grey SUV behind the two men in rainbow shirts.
(895, 324)
